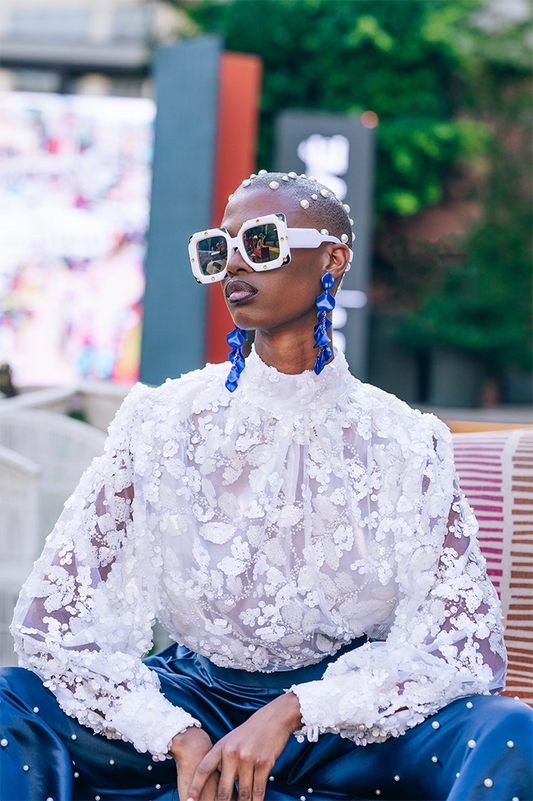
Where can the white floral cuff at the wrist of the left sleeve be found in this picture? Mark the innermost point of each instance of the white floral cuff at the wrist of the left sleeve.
(146, 719)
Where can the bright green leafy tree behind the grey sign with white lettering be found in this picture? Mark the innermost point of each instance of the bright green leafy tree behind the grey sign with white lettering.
(406, 60)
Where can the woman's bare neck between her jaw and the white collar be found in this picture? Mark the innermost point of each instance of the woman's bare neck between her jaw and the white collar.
(290, 352)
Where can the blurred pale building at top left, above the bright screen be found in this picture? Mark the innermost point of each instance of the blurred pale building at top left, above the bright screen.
(82, 46)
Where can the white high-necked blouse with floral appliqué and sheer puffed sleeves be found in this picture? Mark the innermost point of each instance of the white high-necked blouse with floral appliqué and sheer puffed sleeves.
(265, 529)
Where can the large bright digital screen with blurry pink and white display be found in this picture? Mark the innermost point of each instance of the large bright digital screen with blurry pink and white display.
(75, 177)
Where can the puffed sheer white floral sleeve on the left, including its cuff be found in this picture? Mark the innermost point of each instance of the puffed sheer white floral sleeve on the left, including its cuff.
(84, 617)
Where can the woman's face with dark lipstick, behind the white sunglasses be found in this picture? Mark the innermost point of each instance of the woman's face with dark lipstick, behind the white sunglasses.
(277, 298)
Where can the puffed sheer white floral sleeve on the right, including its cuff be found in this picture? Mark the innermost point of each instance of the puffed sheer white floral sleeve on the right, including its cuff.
(446, 640)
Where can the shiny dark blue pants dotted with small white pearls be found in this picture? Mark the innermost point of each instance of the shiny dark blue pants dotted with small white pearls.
(44, 754)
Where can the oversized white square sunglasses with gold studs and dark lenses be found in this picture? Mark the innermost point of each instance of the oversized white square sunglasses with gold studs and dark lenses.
(264, 243)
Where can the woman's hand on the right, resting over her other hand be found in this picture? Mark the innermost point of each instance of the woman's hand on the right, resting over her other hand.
(247, 754)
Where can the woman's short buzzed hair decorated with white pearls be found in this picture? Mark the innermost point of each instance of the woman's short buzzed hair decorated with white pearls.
(326, 211)
